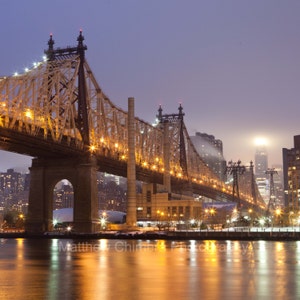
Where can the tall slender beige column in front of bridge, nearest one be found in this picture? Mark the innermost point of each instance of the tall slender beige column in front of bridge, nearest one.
(131, 217)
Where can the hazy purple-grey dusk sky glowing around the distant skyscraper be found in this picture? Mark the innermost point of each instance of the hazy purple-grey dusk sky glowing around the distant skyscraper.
(234, 65)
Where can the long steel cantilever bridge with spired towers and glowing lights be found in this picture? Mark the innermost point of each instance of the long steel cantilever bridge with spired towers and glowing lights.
(57, 113)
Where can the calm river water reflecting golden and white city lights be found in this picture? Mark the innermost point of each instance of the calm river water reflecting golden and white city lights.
(148, 269)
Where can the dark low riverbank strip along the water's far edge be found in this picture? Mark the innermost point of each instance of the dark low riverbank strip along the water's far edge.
(167, 235)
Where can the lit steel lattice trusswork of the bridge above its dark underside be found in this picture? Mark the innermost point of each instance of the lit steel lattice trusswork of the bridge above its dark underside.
(44, 102)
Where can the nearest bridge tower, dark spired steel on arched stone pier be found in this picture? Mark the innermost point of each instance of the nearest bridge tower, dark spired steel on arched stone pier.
(80, 171)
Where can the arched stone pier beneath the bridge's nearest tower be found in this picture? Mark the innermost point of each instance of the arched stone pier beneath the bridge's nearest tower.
(45, 174)
